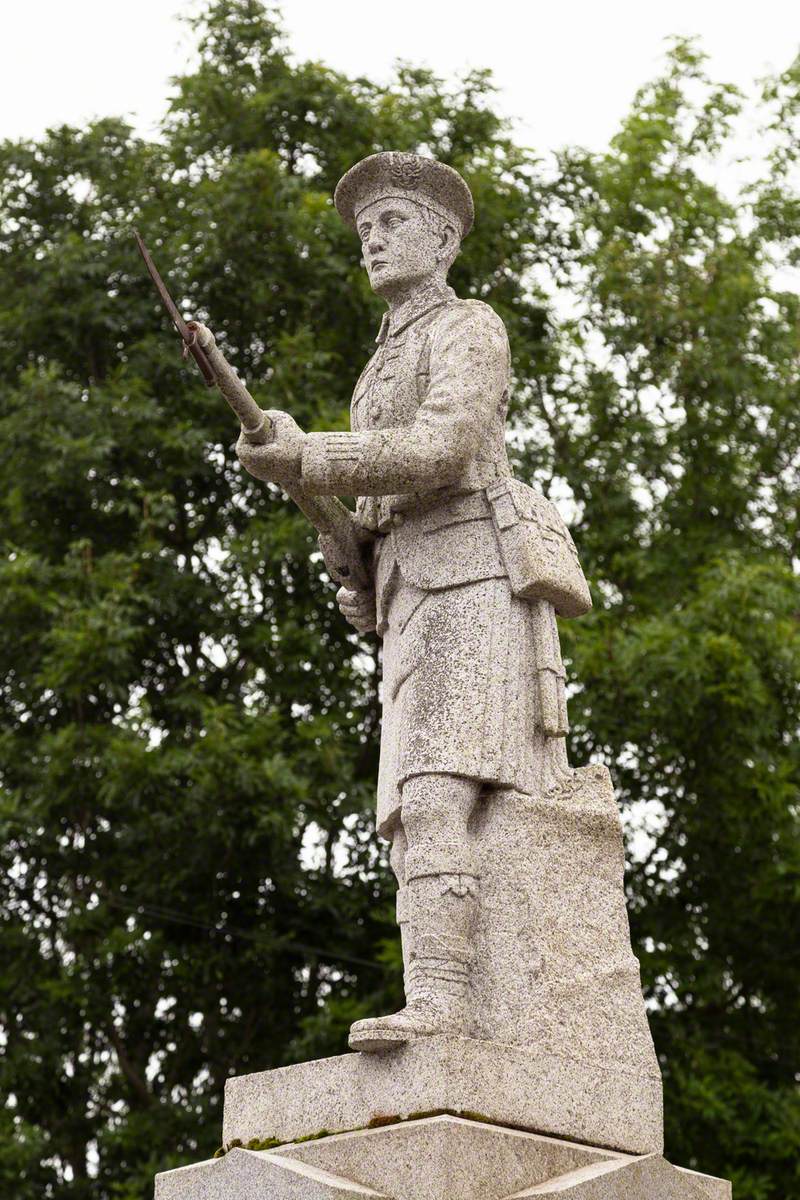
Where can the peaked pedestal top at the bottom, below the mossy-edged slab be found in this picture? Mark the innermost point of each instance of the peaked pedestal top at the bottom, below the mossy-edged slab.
(437, 1159)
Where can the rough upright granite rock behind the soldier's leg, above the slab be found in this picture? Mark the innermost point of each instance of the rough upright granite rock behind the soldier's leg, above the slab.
(555, 967)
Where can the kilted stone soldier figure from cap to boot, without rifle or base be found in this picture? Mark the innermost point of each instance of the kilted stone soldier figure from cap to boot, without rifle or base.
(470, 568)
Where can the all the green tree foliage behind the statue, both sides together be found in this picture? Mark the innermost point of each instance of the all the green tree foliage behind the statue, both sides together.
(189, 735)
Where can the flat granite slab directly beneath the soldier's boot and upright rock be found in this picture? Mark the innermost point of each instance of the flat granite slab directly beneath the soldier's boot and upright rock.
(593, 1102)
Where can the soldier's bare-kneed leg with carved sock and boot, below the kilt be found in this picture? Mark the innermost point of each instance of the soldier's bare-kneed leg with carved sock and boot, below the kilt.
(440, 898)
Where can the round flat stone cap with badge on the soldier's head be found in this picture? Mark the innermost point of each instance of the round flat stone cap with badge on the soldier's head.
(410, 177)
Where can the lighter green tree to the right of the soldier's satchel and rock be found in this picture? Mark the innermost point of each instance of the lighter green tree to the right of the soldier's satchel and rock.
(675, 425)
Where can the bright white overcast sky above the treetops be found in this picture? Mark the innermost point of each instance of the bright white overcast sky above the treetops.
(567, 70)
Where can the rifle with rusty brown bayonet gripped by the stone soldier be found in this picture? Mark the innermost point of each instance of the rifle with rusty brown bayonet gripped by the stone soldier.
(340, 539)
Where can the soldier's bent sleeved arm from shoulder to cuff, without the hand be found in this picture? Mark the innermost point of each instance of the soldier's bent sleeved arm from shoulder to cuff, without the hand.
(470, 364)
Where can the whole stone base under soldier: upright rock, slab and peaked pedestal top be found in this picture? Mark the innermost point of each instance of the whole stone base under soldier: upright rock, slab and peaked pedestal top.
(554, 1090)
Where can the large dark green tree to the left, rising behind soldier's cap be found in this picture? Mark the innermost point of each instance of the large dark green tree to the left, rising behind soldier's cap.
(189, 737)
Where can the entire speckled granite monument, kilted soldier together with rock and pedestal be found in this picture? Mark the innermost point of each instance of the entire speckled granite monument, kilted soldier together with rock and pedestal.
(522, 1064)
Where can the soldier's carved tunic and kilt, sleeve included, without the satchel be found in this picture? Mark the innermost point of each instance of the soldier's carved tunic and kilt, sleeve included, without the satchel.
(460, 649)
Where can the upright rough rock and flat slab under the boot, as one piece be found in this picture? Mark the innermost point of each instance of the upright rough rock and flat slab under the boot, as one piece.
(558, 1040)
